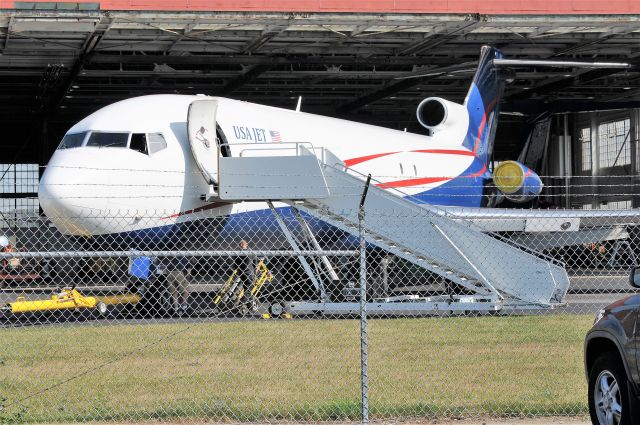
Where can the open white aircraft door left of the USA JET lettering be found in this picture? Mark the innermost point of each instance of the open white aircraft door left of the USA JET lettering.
(201, 126)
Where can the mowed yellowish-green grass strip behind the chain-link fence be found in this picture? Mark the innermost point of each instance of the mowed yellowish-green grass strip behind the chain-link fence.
(295, 370)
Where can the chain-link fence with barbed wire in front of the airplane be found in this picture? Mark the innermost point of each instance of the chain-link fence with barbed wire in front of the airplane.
(253, 314)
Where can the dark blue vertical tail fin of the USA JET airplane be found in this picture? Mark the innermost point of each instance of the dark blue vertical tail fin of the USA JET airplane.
(482, 103)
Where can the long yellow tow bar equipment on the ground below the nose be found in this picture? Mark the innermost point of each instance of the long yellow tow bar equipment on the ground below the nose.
(70, 299)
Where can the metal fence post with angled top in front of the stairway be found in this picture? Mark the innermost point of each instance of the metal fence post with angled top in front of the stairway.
(364, 343)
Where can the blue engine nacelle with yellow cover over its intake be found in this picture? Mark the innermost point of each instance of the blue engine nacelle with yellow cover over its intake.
(517, 182)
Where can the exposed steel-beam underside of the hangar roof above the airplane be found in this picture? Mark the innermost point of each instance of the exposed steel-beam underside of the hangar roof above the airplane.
(63, 64)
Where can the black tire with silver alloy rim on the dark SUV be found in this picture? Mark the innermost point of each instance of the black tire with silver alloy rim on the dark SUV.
(608, 392)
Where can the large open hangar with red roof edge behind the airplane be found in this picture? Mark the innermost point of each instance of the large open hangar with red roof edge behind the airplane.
(60, 61)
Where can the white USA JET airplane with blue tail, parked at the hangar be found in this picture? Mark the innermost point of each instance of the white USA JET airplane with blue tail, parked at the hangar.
(129, 167)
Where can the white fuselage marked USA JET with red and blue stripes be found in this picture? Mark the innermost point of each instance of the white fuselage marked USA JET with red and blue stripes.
(129, 166)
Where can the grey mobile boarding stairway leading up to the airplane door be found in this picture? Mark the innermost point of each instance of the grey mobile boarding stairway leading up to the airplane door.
(495, 273)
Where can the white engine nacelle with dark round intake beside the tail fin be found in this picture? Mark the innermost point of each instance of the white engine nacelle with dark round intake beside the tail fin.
(437, 114)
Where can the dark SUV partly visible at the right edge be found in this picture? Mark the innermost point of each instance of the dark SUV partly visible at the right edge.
(612, 361)
